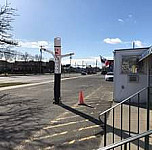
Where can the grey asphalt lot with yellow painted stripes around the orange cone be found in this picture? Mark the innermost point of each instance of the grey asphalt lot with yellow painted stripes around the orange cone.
(30, 121)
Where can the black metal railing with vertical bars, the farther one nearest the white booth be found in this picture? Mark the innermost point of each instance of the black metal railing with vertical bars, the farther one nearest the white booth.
(129, 101)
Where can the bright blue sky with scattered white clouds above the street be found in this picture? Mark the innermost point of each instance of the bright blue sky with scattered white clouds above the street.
(88, 28)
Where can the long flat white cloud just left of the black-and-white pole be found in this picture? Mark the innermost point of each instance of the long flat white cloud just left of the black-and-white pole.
(35, 44)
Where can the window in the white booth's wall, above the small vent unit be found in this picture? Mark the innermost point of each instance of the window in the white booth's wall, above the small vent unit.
(130, 65)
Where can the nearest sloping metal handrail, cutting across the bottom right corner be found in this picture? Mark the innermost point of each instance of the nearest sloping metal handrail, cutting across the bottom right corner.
(128, 140)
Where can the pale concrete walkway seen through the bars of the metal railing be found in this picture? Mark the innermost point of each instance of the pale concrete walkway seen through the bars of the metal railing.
(125, 125)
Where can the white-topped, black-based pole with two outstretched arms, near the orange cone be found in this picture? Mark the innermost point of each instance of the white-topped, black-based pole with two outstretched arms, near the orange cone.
(57, 72)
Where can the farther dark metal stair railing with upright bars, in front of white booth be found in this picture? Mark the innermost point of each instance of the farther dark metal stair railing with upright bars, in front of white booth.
(129, 102)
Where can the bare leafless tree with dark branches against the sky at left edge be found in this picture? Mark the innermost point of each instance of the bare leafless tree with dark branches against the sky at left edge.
(6, 17)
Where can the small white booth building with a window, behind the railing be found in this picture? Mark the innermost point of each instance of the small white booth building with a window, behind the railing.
(132, 72)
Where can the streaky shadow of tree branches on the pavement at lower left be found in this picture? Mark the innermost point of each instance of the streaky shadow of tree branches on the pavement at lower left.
(19, 117)
